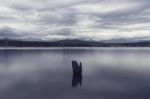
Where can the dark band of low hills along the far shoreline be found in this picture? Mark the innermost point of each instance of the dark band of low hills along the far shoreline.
(69, 43)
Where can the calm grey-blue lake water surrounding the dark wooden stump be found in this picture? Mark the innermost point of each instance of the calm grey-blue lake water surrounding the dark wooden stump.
(108, 73)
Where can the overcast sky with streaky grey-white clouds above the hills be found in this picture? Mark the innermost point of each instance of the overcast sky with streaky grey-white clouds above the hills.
(75, 19)
